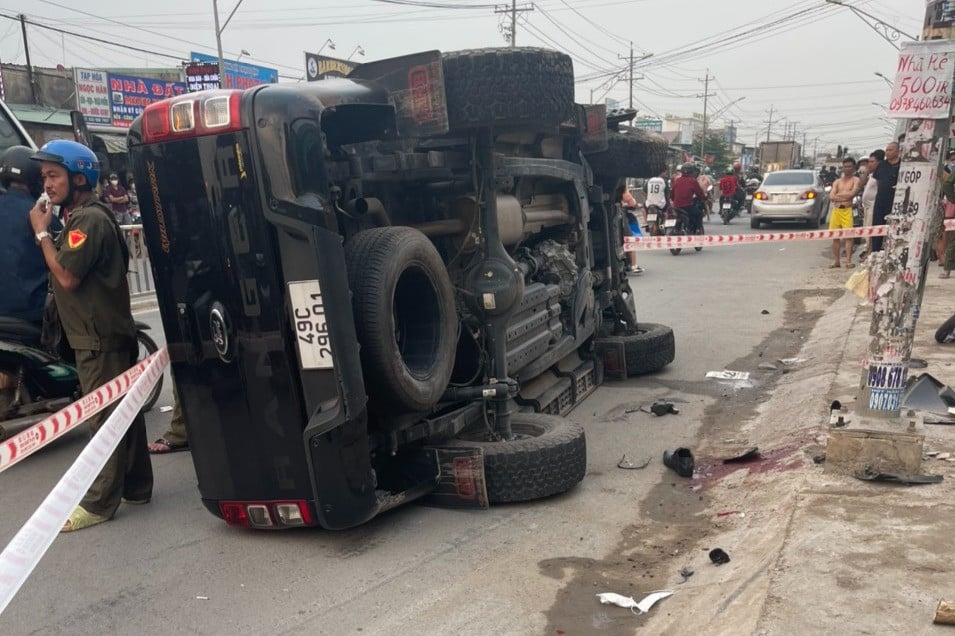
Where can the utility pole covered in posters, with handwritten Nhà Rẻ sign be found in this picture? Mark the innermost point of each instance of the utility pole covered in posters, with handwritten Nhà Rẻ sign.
(898, 274)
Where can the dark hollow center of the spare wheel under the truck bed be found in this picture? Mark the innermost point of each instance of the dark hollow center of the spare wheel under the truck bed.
(417, 321)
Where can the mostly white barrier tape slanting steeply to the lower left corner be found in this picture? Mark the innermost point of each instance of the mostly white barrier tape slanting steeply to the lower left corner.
(29, 545)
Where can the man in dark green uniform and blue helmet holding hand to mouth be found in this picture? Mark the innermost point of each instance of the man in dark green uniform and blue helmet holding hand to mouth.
(88, 267)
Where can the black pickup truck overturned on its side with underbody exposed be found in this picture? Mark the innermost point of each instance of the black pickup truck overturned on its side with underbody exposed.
(392, 285)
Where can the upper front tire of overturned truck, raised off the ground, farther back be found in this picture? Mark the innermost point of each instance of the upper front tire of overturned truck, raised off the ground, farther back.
(635, 153)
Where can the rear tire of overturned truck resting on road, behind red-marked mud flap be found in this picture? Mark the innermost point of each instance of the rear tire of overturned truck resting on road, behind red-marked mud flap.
(548, 456)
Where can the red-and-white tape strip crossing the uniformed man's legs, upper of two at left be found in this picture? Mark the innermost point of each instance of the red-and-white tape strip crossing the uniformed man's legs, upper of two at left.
(66, 419)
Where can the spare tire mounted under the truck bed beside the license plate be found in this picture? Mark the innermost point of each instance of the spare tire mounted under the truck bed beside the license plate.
(405, 316)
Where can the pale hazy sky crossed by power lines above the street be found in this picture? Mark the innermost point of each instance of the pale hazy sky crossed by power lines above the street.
(814, 63)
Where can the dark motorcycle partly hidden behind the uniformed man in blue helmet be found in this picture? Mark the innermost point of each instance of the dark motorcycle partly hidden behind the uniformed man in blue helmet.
(36, 382)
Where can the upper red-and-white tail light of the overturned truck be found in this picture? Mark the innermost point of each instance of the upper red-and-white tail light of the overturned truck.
(194, 115)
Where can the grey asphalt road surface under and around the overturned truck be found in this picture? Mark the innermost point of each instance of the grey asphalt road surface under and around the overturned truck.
(172, 568)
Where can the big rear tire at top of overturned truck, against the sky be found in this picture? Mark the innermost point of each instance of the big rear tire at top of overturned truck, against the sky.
(508, 85)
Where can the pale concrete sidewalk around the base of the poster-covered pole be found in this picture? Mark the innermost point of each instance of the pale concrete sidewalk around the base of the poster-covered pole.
(816, 553)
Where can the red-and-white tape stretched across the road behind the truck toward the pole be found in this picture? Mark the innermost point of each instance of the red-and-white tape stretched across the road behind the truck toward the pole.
(640, 243)
